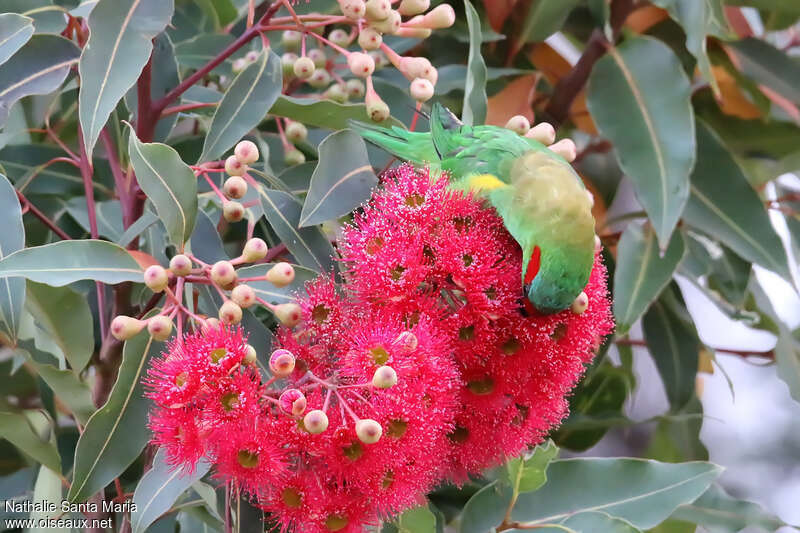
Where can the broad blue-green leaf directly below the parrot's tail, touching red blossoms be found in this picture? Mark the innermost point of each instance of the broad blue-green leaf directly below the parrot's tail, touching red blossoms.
(342, 180)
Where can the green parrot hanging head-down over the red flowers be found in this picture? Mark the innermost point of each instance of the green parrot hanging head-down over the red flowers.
(540, 198)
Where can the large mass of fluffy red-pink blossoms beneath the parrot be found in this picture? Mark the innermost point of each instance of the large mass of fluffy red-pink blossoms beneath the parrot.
(423, 366)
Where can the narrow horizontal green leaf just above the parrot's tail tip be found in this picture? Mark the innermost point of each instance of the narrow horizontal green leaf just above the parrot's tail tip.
(324, 113)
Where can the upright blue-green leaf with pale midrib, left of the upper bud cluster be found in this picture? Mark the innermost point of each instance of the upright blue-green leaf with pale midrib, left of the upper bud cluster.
(244, 104)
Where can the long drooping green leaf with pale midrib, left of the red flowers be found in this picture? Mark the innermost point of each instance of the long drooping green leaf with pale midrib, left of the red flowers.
(116, 433)
